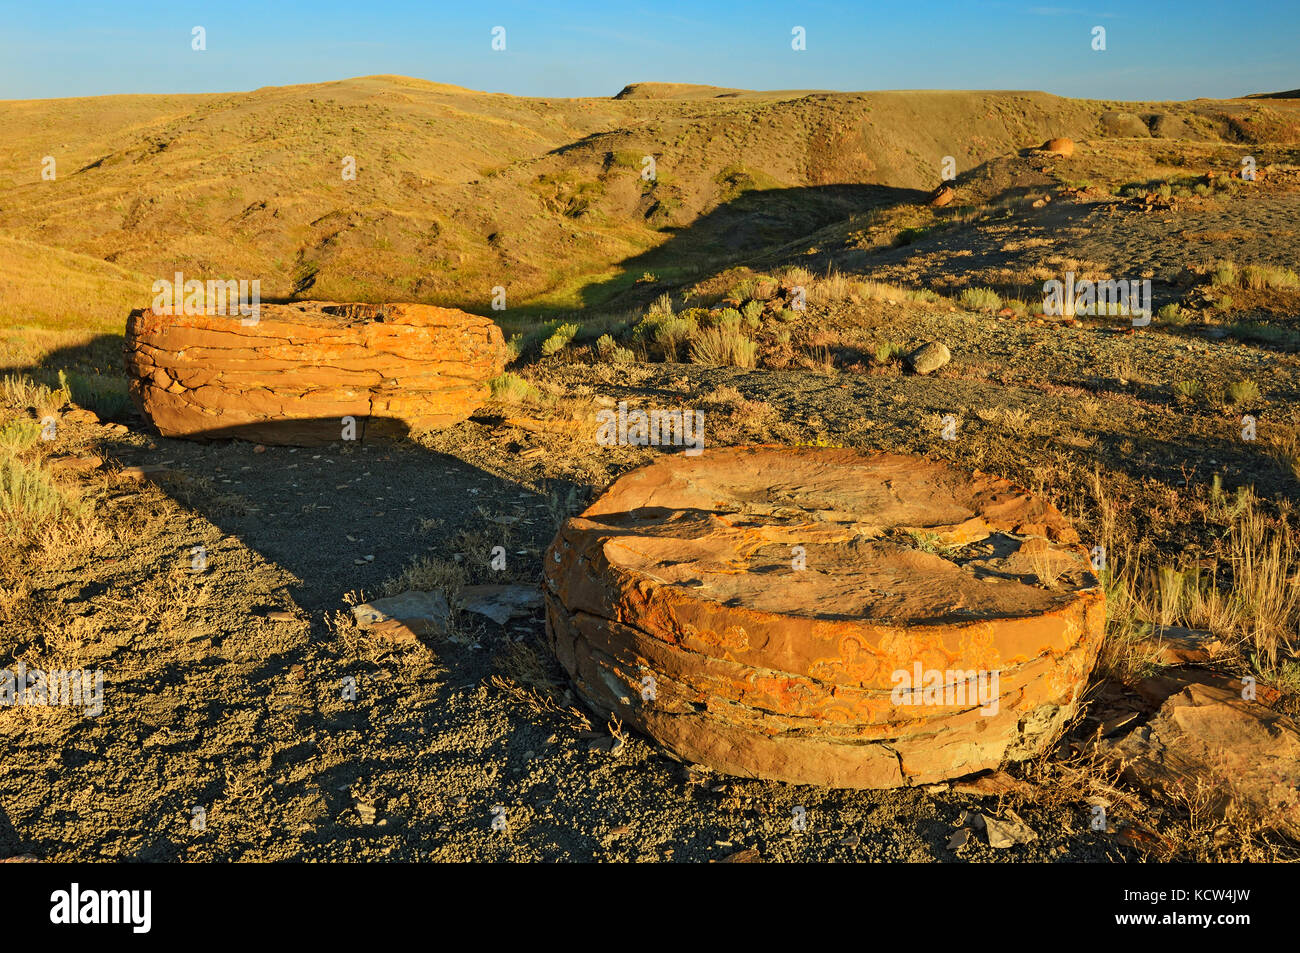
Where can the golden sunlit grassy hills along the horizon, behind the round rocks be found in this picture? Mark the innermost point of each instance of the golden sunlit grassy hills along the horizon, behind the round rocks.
(461, 192)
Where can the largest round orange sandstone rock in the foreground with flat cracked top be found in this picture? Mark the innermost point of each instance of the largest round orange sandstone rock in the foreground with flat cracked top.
(766, 612)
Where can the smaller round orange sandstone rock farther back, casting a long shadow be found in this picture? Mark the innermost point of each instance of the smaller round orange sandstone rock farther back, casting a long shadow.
(294, 375)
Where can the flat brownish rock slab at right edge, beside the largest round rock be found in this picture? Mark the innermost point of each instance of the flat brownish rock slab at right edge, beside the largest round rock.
(1210, 744)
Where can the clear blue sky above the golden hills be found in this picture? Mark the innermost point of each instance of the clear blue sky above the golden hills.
(580, 49)
